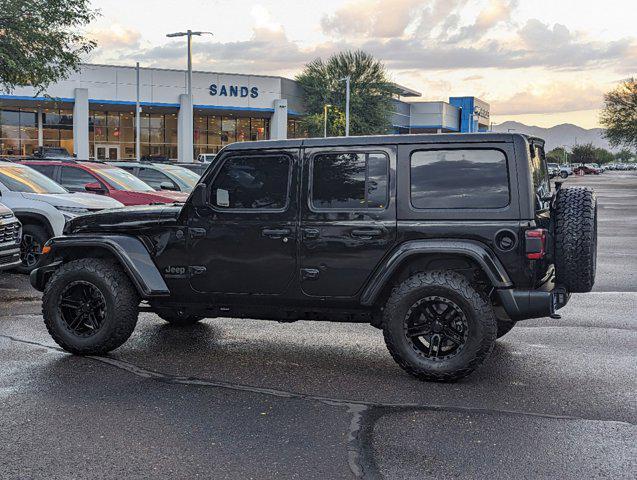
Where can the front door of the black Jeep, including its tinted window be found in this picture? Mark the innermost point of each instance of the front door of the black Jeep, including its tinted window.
(244, 240)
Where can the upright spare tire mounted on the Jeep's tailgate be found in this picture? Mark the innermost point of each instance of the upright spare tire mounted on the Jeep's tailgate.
(575, 223)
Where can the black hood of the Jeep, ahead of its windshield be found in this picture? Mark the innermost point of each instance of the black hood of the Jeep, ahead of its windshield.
(127, 219)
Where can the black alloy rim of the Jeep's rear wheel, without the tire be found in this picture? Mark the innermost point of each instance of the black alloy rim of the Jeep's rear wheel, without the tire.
(436, 327)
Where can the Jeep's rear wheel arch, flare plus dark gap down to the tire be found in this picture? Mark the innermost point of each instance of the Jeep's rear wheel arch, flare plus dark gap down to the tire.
(421, 255)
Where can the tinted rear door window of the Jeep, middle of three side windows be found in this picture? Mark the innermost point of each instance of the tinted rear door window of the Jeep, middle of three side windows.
(350, 180)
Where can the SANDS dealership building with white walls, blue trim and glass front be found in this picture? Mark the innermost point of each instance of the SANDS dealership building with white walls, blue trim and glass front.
(92, 113)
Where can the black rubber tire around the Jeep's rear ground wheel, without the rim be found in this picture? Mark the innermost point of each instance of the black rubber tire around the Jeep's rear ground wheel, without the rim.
(482, 325)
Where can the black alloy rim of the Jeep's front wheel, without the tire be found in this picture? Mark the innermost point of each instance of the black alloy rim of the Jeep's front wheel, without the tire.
(82, 308)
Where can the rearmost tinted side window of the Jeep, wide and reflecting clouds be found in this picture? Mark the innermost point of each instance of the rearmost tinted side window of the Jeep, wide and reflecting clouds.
(459, 179)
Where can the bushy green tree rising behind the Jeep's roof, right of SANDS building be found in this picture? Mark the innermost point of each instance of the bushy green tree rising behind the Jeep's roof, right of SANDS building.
(371, 94)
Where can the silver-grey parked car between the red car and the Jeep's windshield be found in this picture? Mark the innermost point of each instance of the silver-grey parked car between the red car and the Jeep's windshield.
(162, 176)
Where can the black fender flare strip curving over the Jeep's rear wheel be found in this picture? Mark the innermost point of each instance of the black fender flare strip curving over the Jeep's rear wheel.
(484, 257)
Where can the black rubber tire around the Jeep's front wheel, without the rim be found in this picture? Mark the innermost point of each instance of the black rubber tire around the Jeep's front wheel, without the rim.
(121, 311)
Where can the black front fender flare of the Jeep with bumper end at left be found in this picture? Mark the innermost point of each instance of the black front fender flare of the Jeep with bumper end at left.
(129, 251)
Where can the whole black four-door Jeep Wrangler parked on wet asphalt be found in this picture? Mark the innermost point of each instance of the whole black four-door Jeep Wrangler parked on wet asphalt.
(442, 241)
